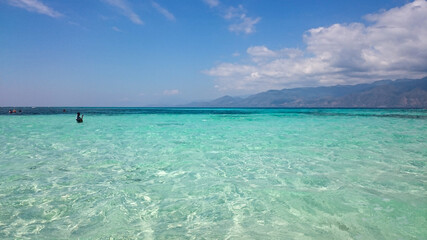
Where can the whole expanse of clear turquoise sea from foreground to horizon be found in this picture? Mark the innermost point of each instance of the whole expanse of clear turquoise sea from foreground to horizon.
(213, 174)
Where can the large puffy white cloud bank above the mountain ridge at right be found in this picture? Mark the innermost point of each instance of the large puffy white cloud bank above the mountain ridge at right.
(393, 45)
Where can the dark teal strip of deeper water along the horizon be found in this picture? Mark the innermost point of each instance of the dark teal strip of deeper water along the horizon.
(367, 112)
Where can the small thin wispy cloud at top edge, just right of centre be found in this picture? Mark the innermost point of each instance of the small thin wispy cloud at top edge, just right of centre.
(240, 22)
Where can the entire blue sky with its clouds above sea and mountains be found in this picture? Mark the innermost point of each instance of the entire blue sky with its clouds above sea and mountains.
(165, 52)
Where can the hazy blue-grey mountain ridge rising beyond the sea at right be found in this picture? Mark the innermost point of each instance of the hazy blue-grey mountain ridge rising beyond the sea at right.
(405, 93)
